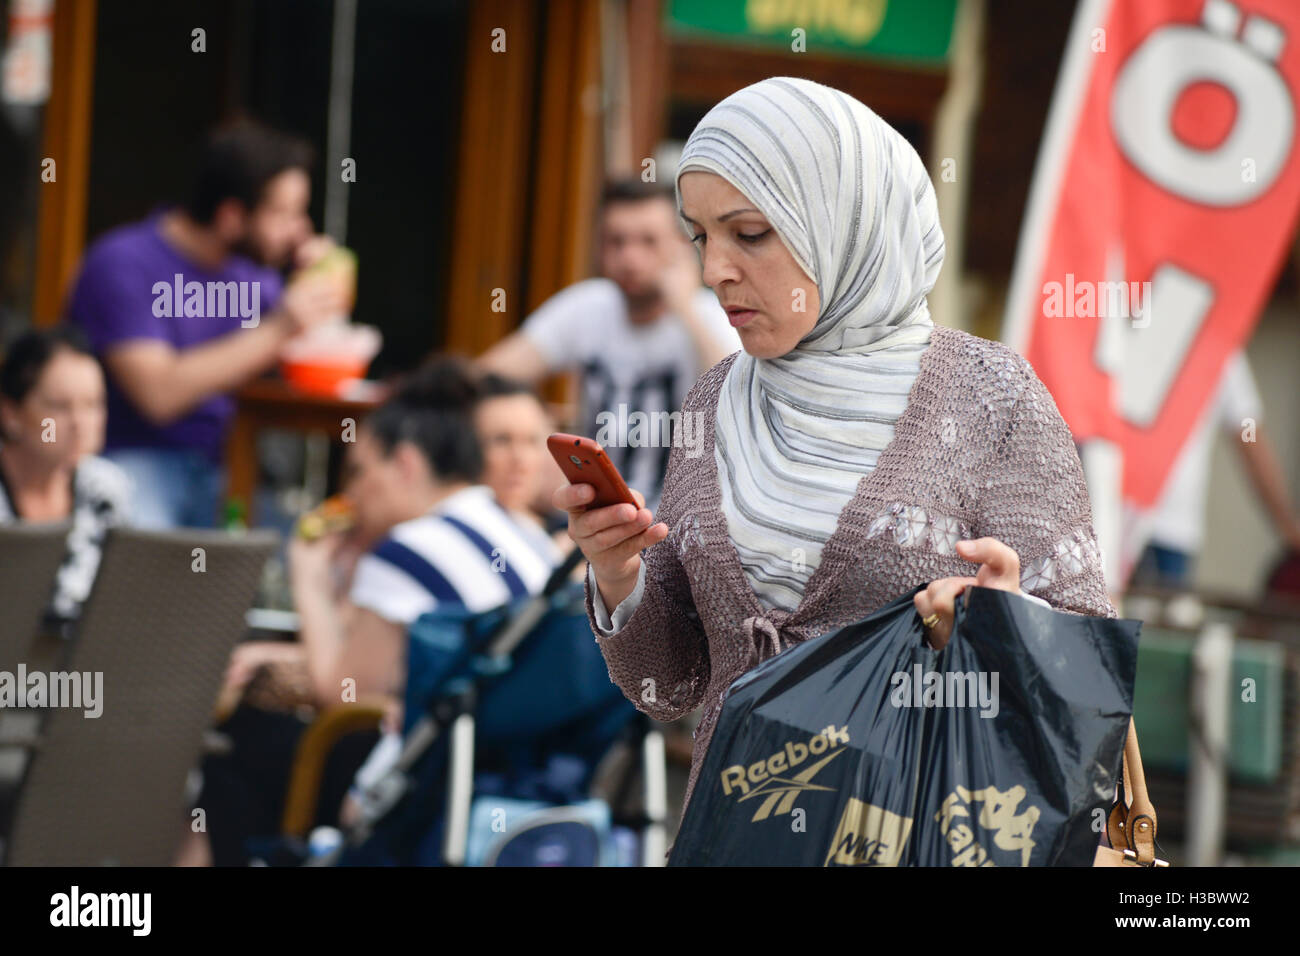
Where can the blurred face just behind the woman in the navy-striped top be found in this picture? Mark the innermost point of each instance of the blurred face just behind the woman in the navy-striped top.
(513, 434)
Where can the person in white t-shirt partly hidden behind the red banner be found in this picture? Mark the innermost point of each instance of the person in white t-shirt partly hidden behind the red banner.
(1177, 526)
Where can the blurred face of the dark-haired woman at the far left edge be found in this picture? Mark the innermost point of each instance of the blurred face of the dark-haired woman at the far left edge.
(62, 419)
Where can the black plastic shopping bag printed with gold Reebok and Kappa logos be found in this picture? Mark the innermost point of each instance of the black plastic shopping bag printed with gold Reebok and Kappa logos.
(866, 747)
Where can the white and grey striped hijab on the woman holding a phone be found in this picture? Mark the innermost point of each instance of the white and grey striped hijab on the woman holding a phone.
(853, 204)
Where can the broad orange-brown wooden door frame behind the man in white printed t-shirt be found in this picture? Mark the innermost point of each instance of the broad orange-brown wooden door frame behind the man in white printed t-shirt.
(525, 175)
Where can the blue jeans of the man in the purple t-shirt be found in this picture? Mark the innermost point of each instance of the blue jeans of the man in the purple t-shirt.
(175, 488)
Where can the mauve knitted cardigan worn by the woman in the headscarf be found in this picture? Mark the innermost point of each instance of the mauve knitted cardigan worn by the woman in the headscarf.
(980, 451)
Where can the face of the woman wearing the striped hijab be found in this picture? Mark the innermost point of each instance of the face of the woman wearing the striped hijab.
(768, 297)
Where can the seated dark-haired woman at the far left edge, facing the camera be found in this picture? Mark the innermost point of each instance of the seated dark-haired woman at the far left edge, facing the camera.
(51, 429)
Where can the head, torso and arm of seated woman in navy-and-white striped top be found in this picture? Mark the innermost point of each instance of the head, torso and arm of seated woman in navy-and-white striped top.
(439, 537)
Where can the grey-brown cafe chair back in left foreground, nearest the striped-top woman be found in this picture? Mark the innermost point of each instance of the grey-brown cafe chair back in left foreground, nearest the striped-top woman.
(159, 626)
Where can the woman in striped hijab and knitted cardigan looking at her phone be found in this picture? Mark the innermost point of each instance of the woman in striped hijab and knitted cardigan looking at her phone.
(853, 451)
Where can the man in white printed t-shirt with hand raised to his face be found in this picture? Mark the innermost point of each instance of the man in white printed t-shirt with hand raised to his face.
(639, 336)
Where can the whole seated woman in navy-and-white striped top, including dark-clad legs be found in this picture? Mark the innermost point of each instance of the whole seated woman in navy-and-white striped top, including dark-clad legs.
(430, 534)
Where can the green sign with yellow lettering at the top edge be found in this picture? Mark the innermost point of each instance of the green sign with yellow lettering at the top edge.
(915, 31)
